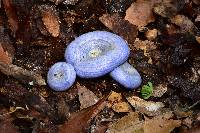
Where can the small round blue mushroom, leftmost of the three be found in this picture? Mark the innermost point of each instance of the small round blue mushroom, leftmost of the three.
(61, 76)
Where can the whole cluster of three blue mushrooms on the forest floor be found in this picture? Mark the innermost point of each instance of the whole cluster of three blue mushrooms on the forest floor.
(92, 55)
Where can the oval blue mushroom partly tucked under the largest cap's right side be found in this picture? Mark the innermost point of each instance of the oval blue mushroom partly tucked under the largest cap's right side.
(127, 76)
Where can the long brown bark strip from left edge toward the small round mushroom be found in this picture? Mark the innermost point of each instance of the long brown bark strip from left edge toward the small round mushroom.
(22, 74)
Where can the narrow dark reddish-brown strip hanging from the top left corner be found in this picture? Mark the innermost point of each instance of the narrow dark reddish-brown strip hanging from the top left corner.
(11, 14)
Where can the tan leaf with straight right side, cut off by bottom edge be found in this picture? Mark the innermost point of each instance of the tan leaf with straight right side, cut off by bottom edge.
(127, 124)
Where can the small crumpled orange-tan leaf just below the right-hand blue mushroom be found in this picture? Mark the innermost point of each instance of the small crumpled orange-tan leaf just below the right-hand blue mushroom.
(117, 104)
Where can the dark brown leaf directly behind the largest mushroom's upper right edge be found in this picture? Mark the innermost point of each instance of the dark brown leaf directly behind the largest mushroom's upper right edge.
(120, 26)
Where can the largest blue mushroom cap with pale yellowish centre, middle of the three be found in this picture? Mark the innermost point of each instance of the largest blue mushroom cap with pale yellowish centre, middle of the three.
(96, 53)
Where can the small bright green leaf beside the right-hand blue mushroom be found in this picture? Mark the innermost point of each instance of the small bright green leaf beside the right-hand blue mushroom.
(147, 90)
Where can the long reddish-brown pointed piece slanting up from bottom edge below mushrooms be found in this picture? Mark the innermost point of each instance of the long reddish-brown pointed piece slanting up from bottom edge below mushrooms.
(80, 121)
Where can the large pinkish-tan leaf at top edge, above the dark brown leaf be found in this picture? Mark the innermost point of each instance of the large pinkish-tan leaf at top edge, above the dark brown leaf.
(140, 12)
